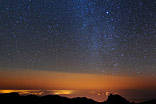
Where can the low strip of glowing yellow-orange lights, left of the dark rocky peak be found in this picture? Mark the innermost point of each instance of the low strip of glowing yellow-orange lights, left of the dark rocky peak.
(97, 95)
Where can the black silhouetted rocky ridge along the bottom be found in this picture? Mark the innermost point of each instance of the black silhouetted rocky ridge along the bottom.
(15, 98)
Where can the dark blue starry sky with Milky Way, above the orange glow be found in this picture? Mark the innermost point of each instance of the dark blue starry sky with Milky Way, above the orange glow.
(116, 37)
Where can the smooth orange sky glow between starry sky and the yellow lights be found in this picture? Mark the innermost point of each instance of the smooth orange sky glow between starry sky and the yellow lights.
(70, 81)
